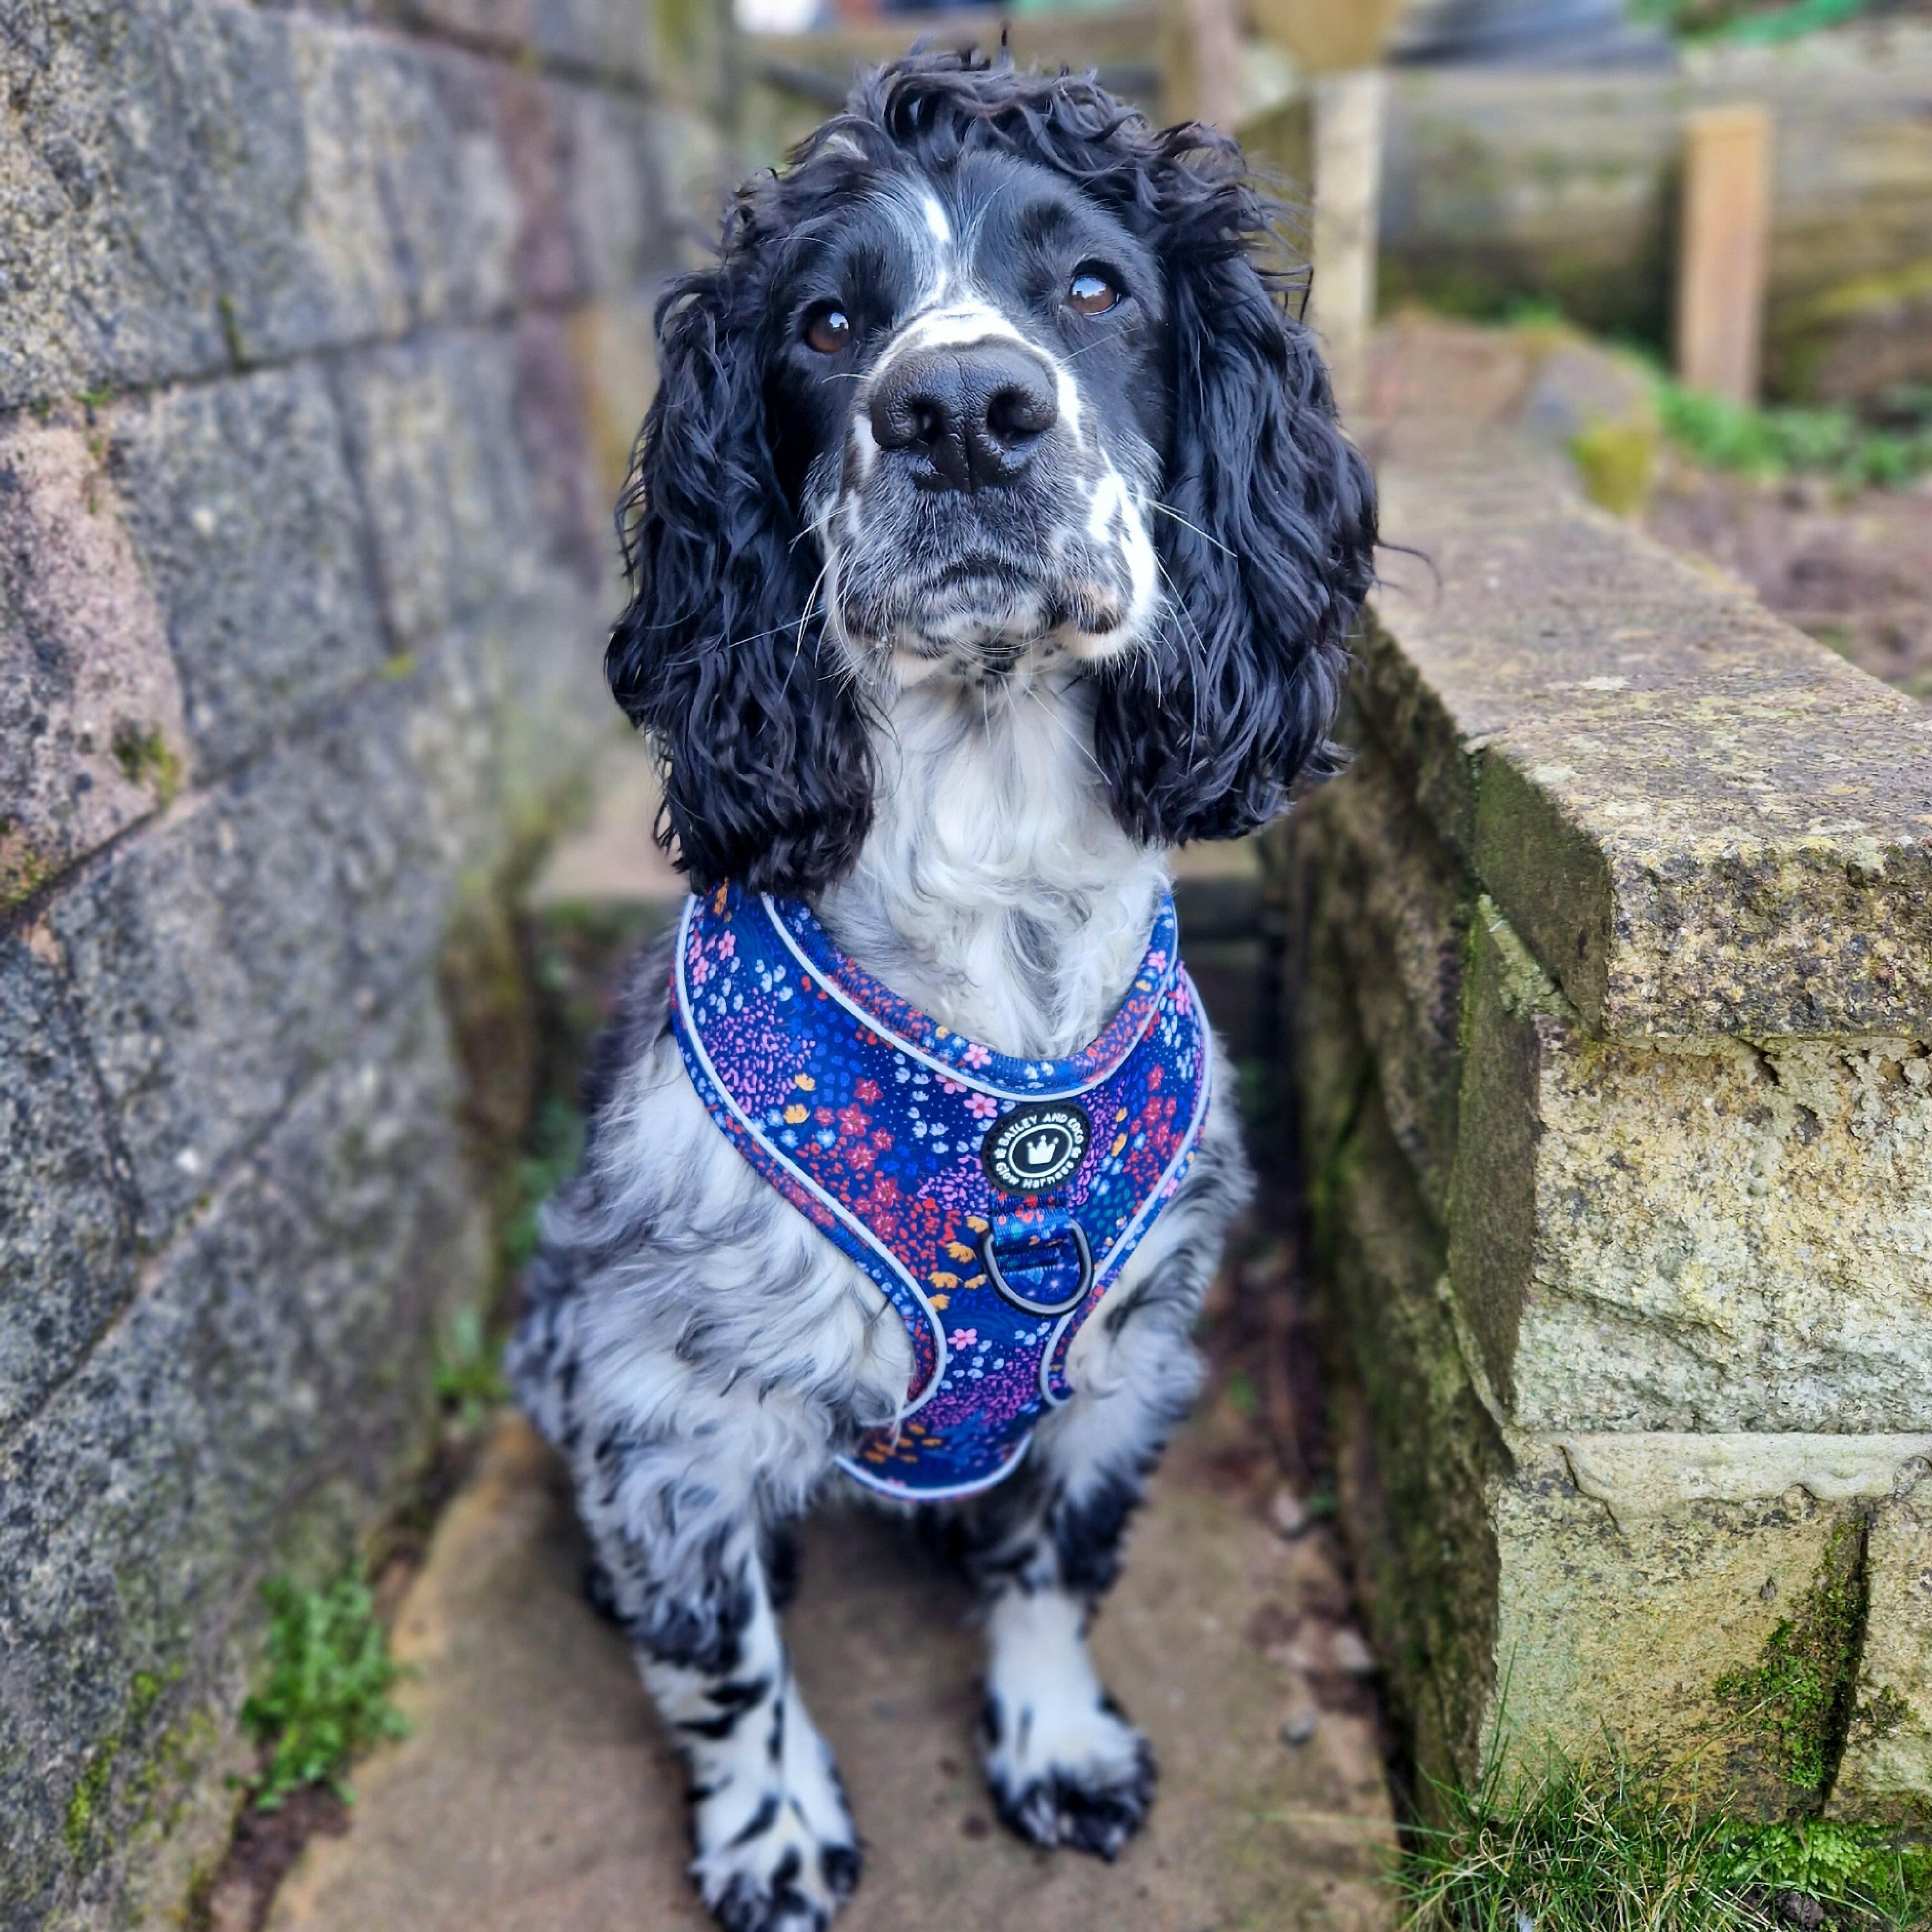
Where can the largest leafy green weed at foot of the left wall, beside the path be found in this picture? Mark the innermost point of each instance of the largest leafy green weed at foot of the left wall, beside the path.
(327, 1690)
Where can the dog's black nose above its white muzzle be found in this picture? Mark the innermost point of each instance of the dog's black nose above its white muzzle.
(975, 412)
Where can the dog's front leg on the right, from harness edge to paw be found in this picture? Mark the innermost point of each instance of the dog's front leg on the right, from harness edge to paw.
(1064, 1763)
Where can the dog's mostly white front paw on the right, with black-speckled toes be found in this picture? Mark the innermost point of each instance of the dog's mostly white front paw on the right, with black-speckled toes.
(1067, 1773)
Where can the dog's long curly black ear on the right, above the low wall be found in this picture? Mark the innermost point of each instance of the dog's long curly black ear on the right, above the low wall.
(1268, 544)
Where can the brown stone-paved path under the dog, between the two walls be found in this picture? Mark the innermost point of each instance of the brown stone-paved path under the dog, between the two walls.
(536, 1794)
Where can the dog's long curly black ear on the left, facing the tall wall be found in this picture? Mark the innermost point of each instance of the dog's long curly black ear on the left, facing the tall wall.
(722, 656)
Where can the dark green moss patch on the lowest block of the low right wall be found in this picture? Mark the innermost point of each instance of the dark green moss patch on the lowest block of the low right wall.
(1802, 1693)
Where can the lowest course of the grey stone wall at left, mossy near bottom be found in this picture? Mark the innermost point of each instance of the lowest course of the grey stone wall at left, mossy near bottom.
(202, 1444)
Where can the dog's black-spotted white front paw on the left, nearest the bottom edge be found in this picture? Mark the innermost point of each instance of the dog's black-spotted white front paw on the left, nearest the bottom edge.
(778, 1856)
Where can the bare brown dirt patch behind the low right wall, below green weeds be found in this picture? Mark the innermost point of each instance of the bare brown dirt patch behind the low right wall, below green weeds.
(1854, 571)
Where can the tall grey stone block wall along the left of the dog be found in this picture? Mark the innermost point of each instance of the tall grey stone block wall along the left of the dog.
(326, 335)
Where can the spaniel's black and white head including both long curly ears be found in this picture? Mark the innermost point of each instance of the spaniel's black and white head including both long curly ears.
(984, 382)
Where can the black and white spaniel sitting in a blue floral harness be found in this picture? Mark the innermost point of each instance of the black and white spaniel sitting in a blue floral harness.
(990, 536)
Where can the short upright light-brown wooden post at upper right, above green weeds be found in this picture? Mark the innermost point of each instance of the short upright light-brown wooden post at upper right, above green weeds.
(1722, 252)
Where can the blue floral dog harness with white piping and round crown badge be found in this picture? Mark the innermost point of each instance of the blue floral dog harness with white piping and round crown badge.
(992, 1199)
